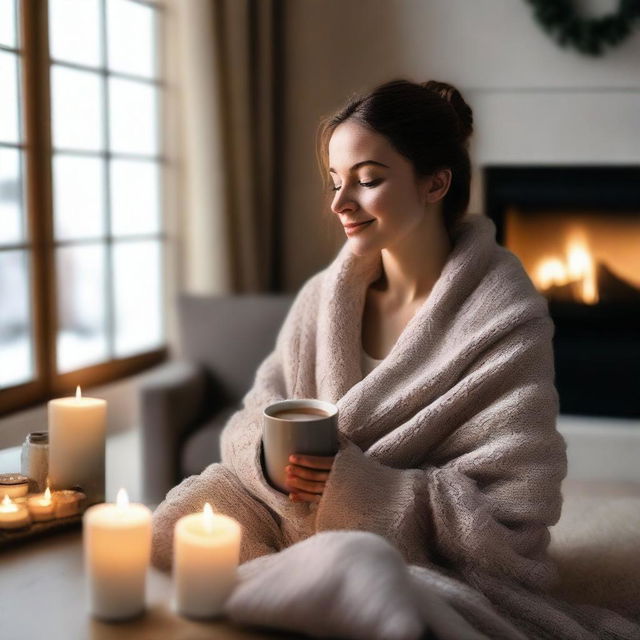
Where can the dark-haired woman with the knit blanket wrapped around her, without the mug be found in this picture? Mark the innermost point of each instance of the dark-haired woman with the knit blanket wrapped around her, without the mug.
(436, 347)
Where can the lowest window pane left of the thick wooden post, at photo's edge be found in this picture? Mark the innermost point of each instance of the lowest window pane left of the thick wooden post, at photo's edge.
(16, 362)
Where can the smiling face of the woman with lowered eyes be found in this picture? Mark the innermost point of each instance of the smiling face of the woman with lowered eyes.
(375, 184)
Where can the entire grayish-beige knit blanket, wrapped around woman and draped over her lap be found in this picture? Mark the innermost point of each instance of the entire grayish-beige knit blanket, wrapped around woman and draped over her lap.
(448, 476)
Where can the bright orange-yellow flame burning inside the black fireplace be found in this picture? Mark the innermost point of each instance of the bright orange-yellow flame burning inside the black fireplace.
(578, 268)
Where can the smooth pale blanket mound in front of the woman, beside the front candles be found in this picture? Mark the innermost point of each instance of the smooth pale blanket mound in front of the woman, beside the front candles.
(354, 585)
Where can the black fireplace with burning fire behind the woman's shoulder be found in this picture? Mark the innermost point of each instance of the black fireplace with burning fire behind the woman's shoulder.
(576, 231)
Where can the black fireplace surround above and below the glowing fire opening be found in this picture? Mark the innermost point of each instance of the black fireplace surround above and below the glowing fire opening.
(597, 347)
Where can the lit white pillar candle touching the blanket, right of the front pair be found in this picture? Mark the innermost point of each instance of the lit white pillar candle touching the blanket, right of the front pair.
(206, 555)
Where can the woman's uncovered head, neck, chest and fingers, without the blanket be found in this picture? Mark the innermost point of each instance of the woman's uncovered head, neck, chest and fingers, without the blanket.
(401, 206)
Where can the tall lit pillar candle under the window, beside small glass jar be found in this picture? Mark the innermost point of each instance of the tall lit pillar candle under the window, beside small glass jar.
(77, 445)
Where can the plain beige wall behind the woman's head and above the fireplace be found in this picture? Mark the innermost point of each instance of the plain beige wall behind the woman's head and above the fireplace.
(532, 101)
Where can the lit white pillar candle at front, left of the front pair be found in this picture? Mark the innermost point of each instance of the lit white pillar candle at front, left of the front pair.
(117, 549)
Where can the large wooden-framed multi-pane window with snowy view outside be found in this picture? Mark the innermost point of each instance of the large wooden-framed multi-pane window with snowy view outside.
(82, 237)
